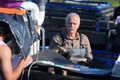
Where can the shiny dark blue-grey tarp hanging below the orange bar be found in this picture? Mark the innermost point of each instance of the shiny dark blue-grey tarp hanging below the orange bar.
(24, 33)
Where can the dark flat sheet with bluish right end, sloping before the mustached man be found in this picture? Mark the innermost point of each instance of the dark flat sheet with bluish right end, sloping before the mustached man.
(53, 59)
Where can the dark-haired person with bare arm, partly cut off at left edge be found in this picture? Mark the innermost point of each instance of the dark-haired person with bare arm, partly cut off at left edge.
(7, 72)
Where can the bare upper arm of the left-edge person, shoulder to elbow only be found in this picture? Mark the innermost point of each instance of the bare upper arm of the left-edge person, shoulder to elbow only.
(6, 66)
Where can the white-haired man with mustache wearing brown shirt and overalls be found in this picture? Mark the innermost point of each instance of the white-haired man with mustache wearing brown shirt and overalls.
(70, 41)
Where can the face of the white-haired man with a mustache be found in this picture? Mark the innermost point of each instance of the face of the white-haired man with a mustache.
(72, 24)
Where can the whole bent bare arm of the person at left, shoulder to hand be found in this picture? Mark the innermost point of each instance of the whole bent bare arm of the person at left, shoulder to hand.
(8, 72)
